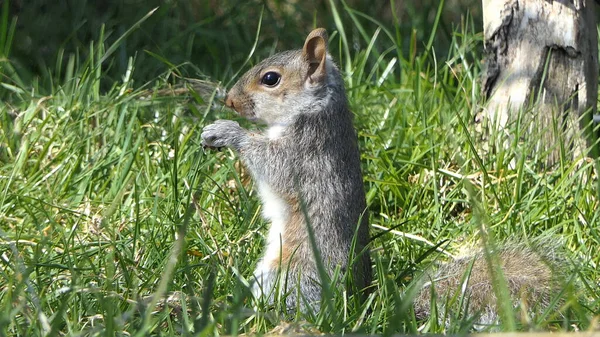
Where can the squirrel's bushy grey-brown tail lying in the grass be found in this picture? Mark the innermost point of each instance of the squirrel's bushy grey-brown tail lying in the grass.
(534, 277)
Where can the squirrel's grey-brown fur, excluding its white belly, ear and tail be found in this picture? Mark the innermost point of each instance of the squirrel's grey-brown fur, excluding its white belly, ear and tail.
(315, 160)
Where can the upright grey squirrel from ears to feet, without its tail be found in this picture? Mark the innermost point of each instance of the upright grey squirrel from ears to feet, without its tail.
(306, 167)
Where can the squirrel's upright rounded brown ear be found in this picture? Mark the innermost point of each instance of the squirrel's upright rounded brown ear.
(315, 53)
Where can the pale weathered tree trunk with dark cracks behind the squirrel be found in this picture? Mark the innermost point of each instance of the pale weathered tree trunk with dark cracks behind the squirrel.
(543, 53)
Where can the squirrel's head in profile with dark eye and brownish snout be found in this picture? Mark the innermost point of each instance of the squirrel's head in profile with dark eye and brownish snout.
(287, 84)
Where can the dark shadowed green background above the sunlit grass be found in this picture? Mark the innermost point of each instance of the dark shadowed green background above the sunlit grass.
(203, 32)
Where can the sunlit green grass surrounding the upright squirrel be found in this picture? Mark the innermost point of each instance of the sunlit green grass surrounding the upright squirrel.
(113, 220)
